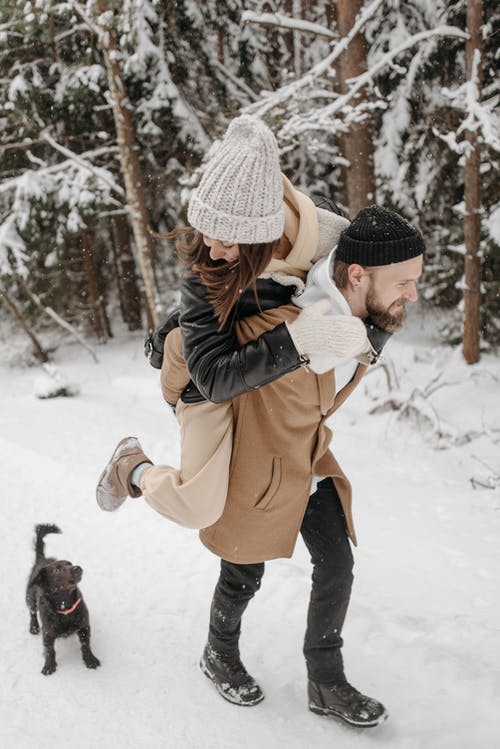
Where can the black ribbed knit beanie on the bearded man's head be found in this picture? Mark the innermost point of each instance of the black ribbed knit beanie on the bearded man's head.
(377, 236)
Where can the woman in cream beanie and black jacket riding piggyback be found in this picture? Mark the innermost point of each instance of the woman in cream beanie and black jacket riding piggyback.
(277, 233)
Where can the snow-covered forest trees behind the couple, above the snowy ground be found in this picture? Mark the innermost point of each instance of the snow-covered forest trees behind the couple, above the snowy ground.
(108, 109)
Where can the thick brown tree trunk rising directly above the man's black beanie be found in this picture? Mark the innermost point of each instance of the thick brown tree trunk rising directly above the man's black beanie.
(357, 144)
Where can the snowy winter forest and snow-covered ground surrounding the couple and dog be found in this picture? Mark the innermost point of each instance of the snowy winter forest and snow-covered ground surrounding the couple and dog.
(108, 111)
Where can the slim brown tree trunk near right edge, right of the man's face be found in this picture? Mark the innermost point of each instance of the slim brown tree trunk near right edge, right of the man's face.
(472, 193)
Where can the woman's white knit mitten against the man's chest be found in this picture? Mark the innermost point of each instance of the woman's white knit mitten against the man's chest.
(327, 340)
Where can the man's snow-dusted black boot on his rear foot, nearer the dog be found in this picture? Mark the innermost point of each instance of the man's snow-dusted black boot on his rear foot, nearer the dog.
(230, 678)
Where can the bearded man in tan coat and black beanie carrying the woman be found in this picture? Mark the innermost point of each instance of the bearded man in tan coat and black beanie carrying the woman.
(373, 272)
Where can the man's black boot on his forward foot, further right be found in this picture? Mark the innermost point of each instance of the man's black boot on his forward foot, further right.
(344, 702)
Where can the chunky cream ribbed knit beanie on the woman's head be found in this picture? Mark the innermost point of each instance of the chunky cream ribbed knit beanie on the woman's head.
(240, 196)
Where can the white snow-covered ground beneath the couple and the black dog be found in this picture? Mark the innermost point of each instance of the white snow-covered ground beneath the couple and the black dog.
(422, 629)
